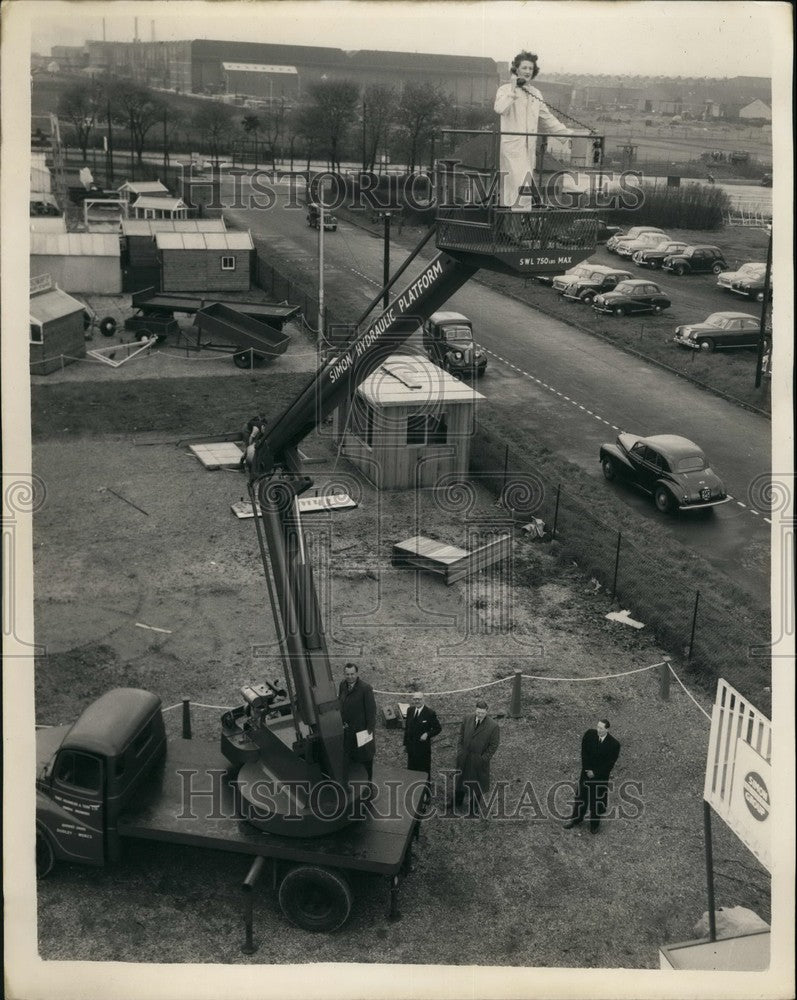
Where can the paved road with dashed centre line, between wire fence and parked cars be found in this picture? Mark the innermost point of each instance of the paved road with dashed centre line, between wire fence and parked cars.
(568, 390)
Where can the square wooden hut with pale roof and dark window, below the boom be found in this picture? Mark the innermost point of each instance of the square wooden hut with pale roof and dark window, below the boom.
(410, 423)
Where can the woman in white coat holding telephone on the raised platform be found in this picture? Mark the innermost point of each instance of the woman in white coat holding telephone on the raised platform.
(522, 109)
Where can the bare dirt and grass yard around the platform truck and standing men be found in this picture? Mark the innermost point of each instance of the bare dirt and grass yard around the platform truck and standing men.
(134, 532)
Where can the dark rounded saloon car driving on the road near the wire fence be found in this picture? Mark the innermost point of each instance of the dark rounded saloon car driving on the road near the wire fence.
(672, 469)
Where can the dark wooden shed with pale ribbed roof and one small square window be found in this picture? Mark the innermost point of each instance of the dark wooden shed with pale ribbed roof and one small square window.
(205, 262)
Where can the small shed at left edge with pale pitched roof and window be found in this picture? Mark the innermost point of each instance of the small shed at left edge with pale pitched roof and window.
(56, 329)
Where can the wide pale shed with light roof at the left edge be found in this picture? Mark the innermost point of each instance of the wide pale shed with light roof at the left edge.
(78, 262)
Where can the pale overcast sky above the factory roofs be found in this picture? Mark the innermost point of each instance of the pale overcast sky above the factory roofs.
(673, 38)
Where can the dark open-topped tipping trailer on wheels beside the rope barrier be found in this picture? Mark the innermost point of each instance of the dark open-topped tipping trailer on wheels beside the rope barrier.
(248, 340)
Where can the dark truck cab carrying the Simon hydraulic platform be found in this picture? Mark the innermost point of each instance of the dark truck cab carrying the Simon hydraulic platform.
(86, 774)
